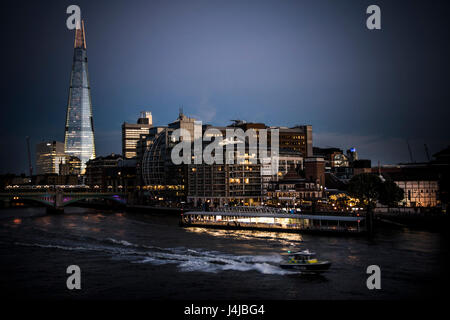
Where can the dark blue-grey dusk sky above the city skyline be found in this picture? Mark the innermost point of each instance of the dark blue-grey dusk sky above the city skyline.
(278, 62)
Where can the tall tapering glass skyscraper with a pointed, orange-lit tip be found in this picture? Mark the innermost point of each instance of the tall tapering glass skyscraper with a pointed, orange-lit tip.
(79, 130)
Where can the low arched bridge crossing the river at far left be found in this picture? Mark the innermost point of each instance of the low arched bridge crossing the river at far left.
(57, 197)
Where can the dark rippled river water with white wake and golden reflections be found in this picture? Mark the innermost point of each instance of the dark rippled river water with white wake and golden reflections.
(146, 256)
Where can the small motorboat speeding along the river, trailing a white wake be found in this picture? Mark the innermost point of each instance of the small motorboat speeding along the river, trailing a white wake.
(304, 261)
